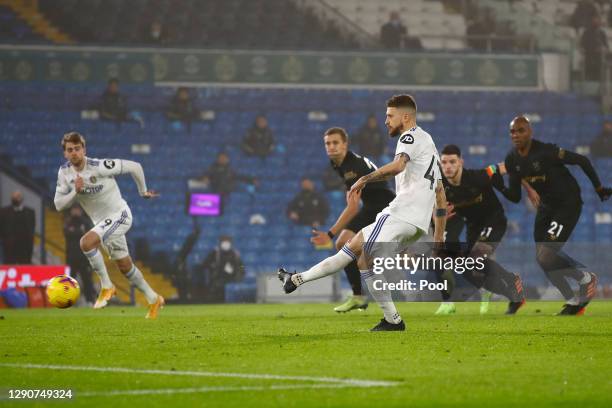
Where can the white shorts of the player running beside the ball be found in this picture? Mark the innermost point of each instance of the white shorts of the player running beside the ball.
(112, 230)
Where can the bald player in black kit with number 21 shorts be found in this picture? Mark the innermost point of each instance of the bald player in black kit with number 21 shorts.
(543, 167)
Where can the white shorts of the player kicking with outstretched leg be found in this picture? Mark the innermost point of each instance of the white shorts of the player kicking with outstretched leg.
(390, 230)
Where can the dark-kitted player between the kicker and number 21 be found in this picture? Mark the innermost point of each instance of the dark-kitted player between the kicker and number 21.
(471, 195)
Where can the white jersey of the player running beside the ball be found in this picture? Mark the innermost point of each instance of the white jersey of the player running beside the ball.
(100, 196)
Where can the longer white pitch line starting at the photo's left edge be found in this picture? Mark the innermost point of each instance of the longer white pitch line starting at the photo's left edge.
(331, 380)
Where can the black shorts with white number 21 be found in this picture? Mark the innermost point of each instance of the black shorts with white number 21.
(555, 224)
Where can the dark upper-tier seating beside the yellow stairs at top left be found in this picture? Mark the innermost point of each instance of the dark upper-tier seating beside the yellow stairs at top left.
(194, 23)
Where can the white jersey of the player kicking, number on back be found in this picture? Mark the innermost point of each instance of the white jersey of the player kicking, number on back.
(415, 186)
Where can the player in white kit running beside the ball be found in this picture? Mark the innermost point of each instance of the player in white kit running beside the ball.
(91, 182)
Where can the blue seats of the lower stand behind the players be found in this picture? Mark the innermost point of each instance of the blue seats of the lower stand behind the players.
(36, 115)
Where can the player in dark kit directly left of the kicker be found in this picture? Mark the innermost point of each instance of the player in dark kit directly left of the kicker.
(375, 197)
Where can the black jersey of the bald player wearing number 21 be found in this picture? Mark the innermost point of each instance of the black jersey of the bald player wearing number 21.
(544, 169)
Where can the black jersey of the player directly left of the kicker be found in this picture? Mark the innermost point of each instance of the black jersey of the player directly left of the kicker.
(353, 167)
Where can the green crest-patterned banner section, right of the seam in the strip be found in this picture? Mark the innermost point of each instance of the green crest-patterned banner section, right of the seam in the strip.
(350, 69)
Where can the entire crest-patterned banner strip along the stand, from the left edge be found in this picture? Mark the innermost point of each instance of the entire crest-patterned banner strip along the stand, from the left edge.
(270, 68)
